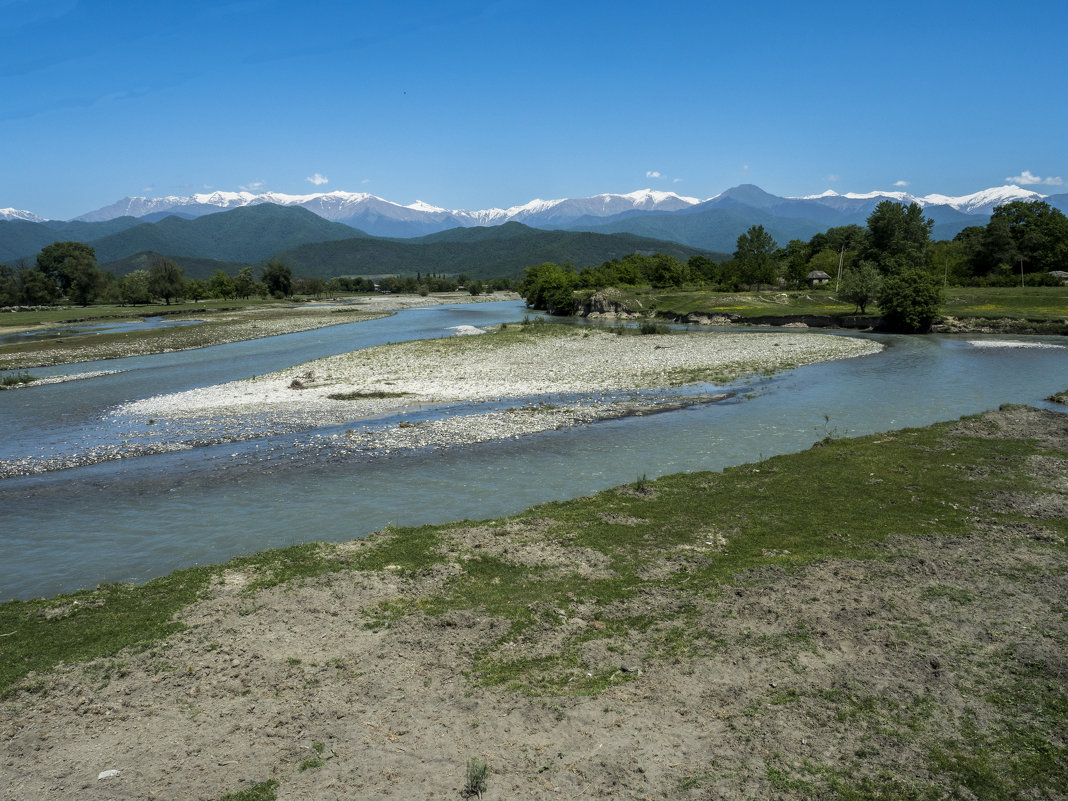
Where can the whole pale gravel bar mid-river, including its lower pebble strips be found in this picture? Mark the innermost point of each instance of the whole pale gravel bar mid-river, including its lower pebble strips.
(443, 394)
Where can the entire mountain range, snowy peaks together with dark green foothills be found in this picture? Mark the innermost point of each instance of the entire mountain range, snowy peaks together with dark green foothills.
(310, 229)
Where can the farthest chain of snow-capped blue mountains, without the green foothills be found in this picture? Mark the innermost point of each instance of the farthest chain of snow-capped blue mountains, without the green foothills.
(640, 212)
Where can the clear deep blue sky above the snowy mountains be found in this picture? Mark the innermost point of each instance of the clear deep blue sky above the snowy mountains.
(473, 104)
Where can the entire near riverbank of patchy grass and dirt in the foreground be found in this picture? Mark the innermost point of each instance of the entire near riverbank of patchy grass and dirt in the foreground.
(878, 618)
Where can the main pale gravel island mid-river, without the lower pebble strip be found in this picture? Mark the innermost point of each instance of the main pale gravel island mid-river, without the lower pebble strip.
(508, 365)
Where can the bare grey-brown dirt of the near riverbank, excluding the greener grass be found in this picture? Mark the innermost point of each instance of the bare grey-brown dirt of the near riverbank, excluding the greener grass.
(839, 664)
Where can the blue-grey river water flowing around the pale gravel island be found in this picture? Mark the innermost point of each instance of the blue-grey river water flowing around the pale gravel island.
(136, 520)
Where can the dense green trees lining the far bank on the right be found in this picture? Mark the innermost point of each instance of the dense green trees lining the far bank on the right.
(891, 262)
